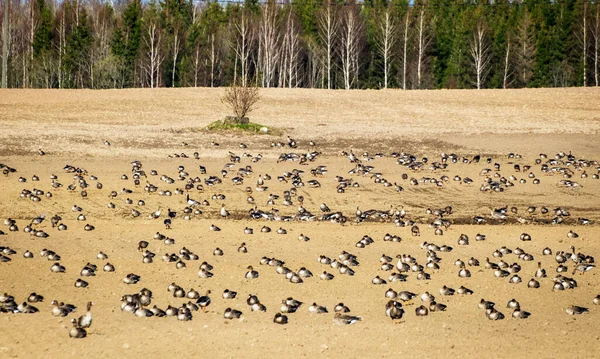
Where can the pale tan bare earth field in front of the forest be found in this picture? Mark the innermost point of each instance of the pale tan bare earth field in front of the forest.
(151, 126)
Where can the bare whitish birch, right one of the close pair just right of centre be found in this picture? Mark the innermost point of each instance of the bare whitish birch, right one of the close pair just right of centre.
(349, 45)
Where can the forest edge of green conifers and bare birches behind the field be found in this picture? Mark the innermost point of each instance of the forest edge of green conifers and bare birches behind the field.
(416, 44)
